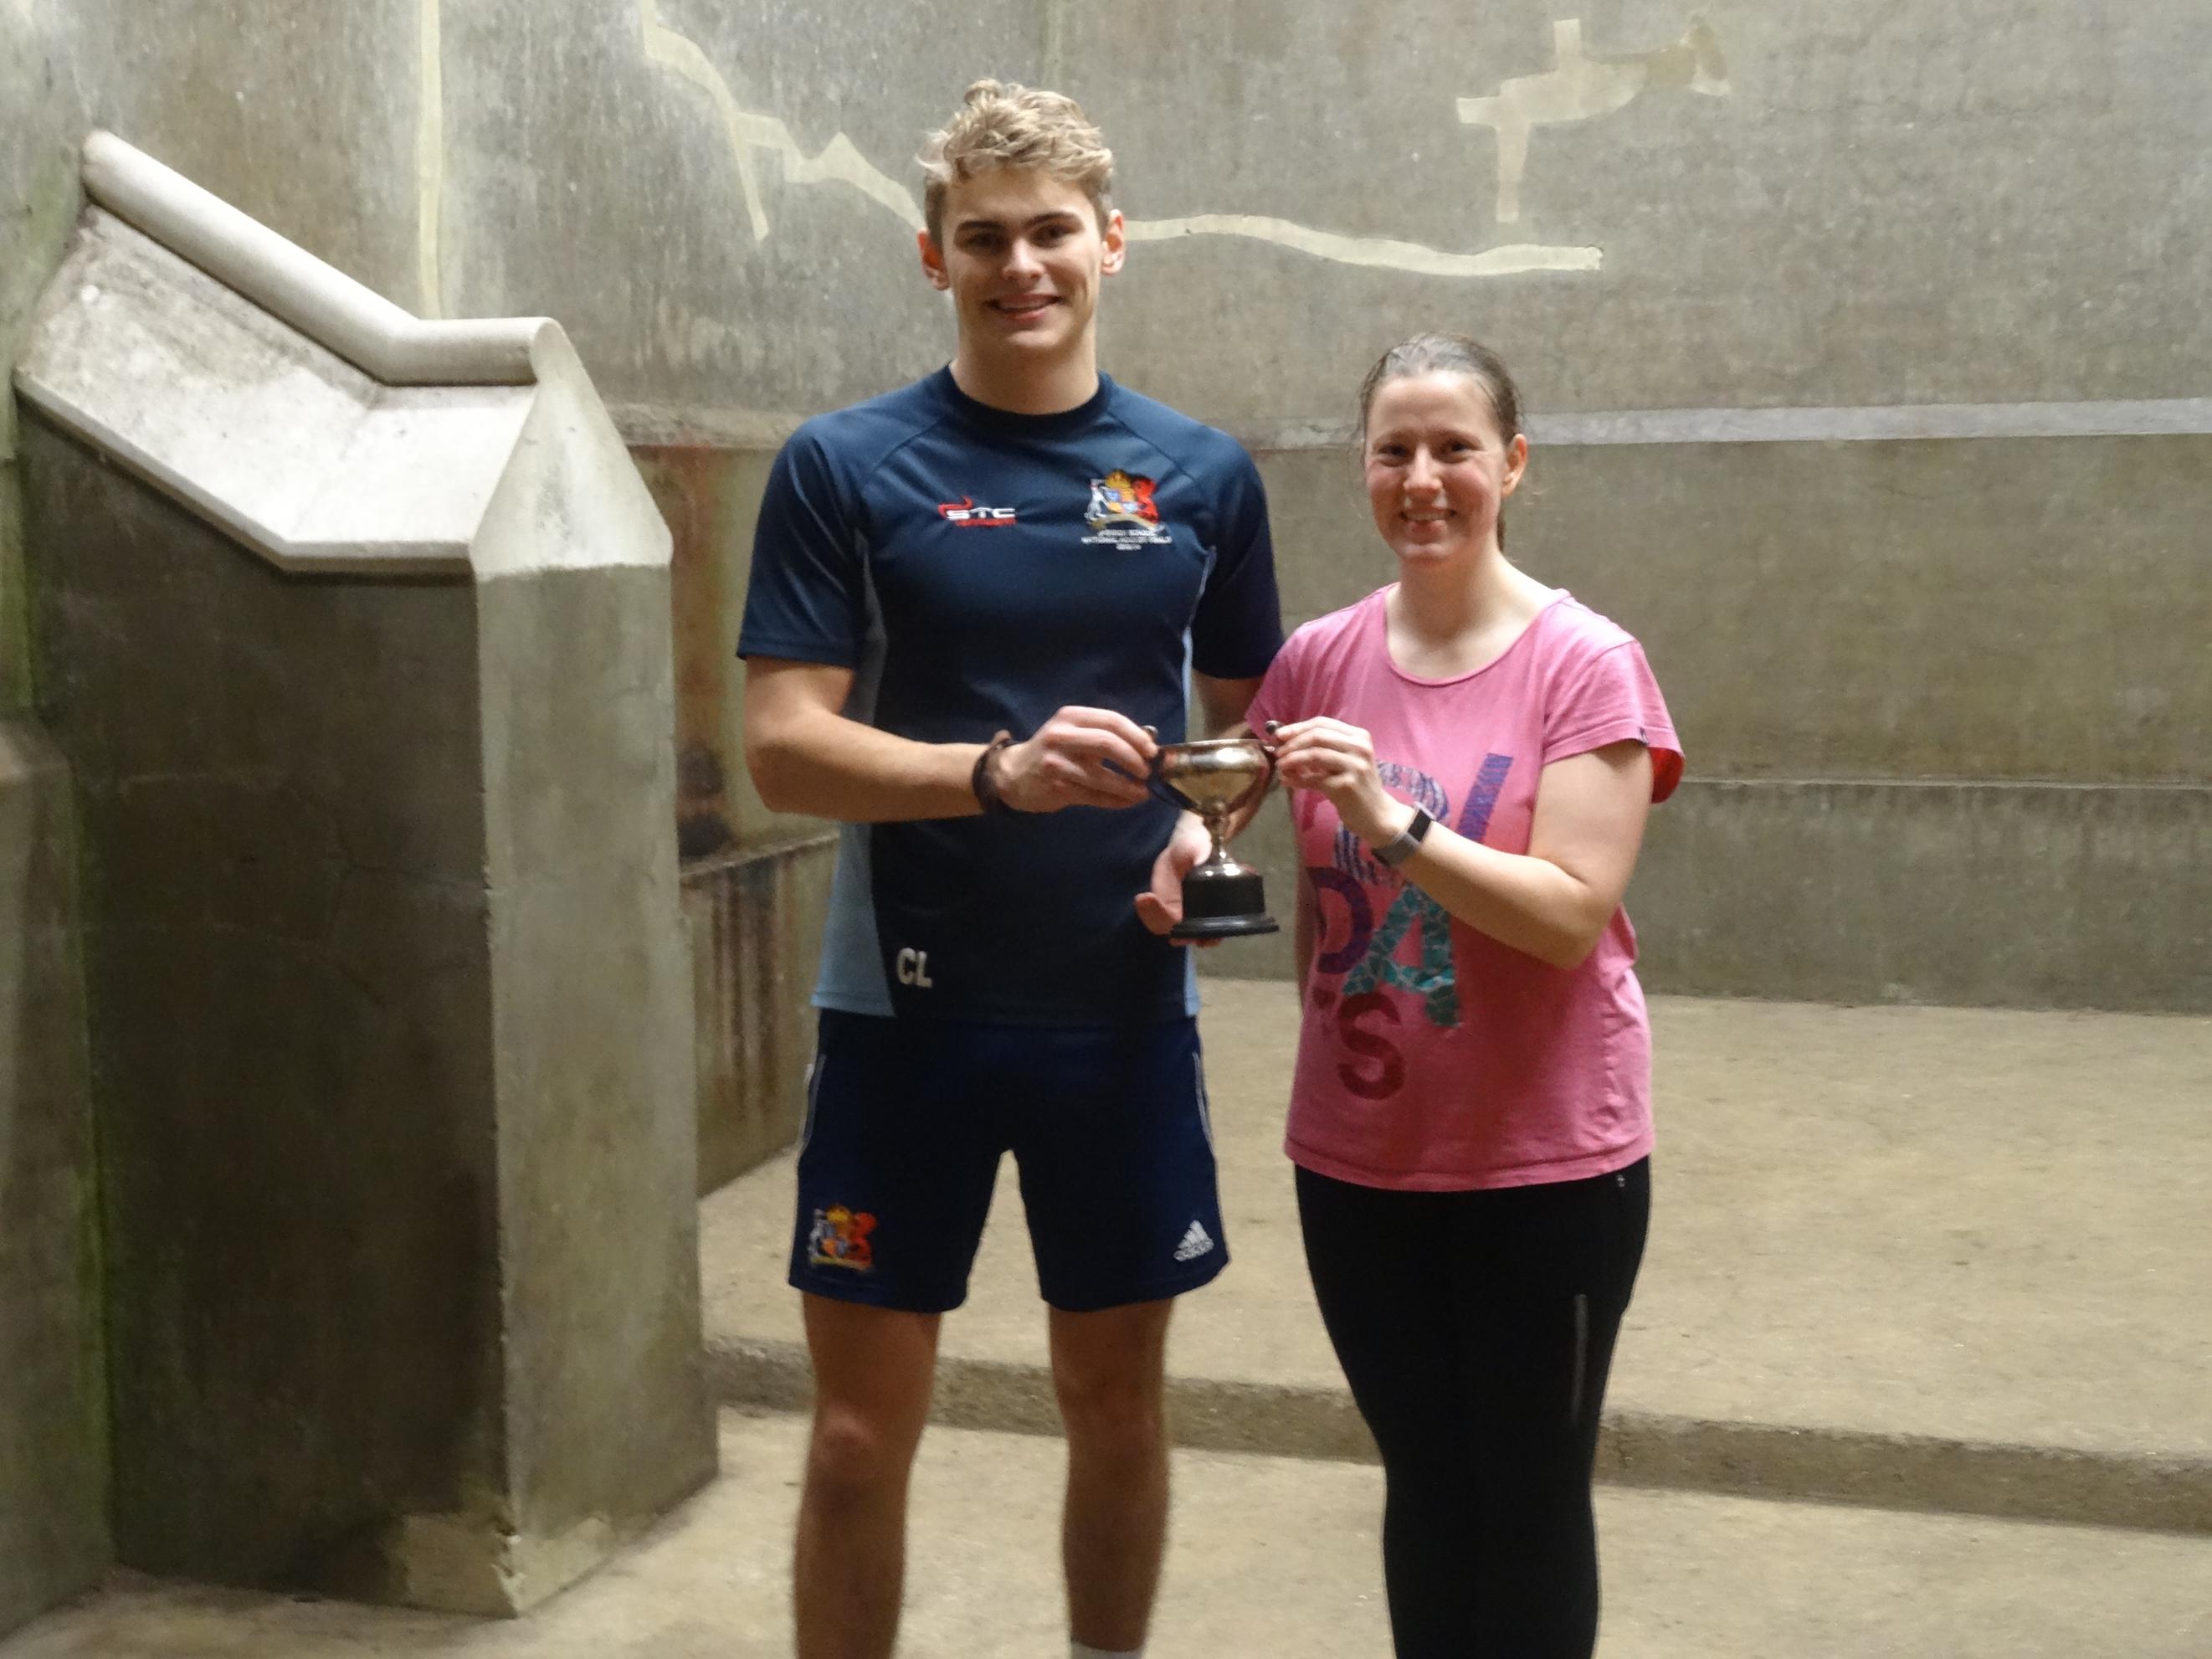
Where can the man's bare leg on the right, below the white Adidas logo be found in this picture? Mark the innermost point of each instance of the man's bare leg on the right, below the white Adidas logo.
(1107, 1373)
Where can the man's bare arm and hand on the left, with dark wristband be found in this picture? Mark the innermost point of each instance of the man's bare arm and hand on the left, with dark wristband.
(808, 758)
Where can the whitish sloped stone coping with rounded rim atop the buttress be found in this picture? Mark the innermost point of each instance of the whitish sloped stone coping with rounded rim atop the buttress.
(311, 419)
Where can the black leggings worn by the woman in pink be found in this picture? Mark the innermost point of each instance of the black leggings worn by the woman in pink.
(1477, 1331)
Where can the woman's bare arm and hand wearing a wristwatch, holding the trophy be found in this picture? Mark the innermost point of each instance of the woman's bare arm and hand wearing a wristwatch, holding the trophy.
(1554, 901)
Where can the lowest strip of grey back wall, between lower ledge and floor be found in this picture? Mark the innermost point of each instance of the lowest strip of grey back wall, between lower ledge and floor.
(1961, 893)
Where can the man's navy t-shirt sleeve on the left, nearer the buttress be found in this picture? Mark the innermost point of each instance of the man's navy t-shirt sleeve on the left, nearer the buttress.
(806, 596)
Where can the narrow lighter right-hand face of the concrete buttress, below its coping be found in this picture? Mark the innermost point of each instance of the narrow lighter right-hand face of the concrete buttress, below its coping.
(607, 1419)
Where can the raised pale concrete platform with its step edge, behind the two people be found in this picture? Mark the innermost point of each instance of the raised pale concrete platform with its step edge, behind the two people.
(1934, 1260)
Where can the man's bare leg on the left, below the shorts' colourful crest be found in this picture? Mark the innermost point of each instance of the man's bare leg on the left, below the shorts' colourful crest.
(873, 1373)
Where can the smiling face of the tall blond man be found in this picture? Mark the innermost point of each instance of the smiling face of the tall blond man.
(1023, 260)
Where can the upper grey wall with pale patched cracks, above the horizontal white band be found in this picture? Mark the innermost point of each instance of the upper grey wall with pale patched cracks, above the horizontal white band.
(1976, 205)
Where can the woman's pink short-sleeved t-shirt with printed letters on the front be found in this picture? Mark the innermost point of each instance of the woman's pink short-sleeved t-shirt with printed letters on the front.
(1434, 1058)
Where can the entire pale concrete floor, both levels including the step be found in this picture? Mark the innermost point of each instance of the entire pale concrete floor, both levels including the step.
(1914, 1242)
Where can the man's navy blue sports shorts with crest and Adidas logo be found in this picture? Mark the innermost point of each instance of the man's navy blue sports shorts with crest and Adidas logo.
(906, 1127)
